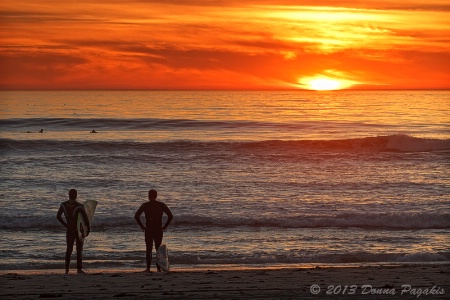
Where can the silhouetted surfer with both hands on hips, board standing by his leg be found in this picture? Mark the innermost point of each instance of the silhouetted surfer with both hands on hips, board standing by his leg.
(153, 211)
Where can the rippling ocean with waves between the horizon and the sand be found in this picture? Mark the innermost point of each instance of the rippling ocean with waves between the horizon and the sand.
(253, 178)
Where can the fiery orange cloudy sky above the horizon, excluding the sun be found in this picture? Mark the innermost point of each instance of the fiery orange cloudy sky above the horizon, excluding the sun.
(194, 44)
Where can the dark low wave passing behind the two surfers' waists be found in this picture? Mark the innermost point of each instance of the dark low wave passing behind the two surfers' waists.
(398, 221)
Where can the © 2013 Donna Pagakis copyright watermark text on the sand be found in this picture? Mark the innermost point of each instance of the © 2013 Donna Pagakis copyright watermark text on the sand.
(368, 289)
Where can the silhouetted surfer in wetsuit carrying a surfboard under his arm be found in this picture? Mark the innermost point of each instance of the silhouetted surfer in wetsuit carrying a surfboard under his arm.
(70, 209)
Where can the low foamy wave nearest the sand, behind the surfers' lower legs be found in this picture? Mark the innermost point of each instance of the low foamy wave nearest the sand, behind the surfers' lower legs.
(134, 260)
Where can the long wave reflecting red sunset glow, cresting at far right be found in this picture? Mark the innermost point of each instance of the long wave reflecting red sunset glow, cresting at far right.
(399, 143)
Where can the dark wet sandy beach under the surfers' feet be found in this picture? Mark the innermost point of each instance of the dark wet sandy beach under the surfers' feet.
(366, 282)
